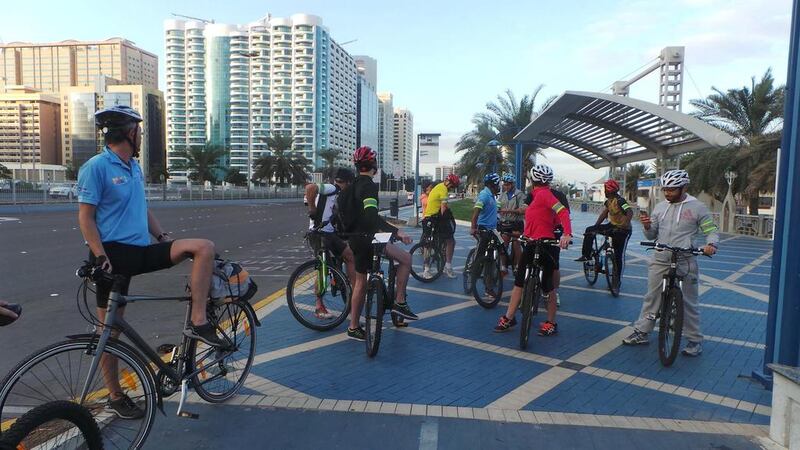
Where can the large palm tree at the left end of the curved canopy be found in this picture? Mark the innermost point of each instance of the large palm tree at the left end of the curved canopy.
(501, 121)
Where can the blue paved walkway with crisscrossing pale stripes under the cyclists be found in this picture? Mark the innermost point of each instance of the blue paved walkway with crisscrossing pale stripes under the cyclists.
(451, 364)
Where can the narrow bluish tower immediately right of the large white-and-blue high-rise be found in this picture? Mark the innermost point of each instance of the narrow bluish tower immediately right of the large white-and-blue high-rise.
(367, 109)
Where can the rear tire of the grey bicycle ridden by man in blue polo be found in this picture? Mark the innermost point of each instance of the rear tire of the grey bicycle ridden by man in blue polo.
(243, 335)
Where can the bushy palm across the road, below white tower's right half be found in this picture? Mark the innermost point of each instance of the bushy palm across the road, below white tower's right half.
(282, 165)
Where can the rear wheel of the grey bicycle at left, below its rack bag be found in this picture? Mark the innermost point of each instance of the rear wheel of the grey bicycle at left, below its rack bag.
(220, 381)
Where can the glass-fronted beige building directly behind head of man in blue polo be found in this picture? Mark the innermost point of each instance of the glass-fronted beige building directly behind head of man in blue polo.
(81, 139)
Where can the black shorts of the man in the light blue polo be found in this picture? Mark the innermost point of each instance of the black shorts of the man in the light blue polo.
(131, 260)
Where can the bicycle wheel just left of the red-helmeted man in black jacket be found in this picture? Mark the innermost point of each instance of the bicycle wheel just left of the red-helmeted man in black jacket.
(297, 307)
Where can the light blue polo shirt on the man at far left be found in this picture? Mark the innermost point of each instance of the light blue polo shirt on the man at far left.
(116, 189)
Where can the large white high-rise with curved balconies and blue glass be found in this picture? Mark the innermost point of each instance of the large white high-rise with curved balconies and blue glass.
(230, 84)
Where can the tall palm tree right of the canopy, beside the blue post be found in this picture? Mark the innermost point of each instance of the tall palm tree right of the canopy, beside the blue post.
(754, 116)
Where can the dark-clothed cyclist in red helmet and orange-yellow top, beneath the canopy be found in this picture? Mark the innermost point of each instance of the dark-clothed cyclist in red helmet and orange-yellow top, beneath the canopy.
(619, 214)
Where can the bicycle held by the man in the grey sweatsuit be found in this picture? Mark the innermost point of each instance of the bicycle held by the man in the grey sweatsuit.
(670, 315)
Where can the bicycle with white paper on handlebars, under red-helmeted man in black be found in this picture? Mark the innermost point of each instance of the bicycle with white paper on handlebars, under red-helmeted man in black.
(380, 295)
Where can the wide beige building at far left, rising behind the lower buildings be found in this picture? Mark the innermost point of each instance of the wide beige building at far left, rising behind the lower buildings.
(53, 66)
